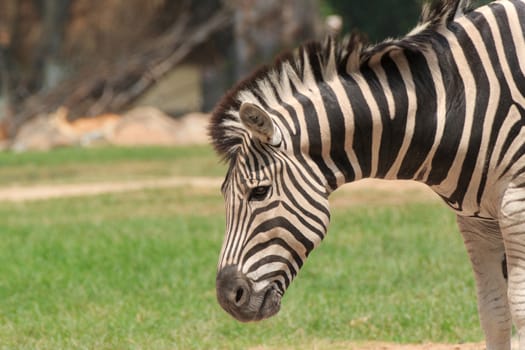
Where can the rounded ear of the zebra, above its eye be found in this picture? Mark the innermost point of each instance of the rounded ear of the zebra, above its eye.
(260, 124)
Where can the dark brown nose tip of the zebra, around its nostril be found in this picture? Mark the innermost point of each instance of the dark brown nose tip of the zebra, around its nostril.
(233, 289)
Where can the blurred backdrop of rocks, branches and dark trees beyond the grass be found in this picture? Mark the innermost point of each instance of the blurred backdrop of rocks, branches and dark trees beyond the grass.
(70, 70)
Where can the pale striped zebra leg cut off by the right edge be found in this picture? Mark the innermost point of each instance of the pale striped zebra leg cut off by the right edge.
(512, 223)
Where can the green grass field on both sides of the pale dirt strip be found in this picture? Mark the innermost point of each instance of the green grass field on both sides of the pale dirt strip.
(137, 270)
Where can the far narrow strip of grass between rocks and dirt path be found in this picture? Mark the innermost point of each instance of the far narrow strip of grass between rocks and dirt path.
(107, 164)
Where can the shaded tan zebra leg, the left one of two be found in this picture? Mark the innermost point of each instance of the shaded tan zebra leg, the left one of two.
(486, 251)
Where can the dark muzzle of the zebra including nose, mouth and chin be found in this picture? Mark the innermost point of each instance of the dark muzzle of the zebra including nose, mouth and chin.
(236, 295)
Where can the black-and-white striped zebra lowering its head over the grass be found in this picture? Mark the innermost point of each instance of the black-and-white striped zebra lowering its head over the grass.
(443, 105)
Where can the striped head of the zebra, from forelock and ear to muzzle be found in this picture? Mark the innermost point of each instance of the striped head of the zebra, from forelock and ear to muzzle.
(276, 209)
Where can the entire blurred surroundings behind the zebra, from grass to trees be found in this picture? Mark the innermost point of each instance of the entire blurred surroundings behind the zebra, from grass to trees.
(115, 247)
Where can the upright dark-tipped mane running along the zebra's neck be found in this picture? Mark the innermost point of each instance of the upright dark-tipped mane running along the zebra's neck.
(323, 60)
